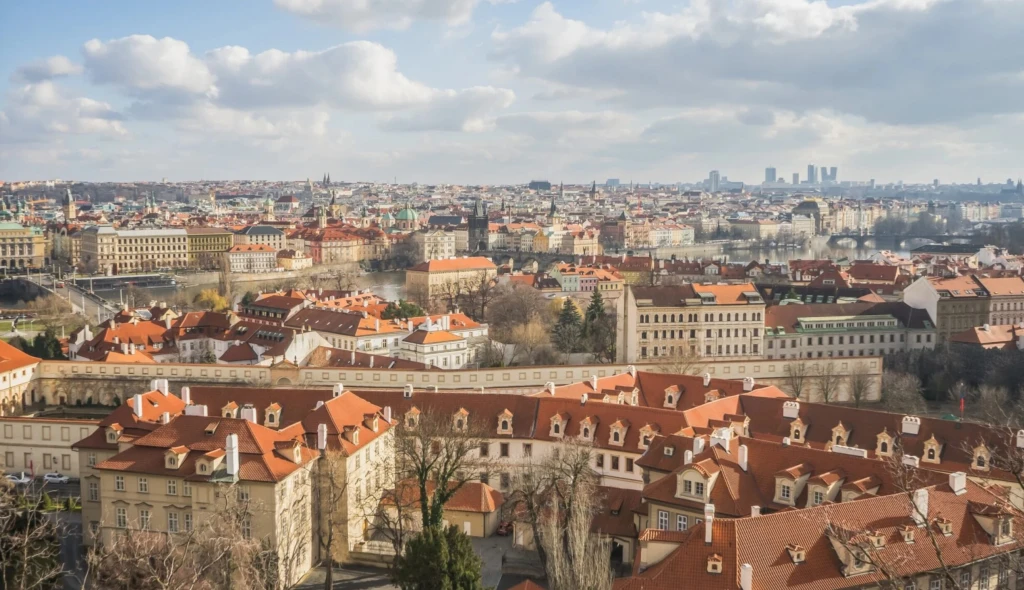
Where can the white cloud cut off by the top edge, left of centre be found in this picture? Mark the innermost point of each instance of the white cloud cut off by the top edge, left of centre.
(368, 15)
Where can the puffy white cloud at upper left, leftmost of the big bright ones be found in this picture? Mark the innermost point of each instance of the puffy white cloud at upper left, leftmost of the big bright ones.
(145, 64)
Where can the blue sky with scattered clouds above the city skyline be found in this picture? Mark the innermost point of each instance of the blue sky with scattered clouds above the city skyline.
(506, 92)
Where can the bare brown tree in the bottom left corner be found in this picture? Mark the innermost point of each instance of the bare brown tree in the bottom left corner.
(30, 543)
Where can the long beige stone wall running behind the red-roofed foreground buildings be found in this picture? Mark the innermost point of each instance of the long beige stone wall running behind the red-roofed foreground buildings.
(89, 384)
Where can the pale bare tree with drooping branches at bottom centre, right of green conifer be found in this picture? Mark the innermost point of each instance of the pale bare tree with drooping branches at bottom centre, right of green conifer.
(558, 499)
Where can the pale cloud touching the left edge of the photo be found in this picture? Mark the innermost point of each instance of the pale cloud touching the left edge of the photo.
(36, 113)
